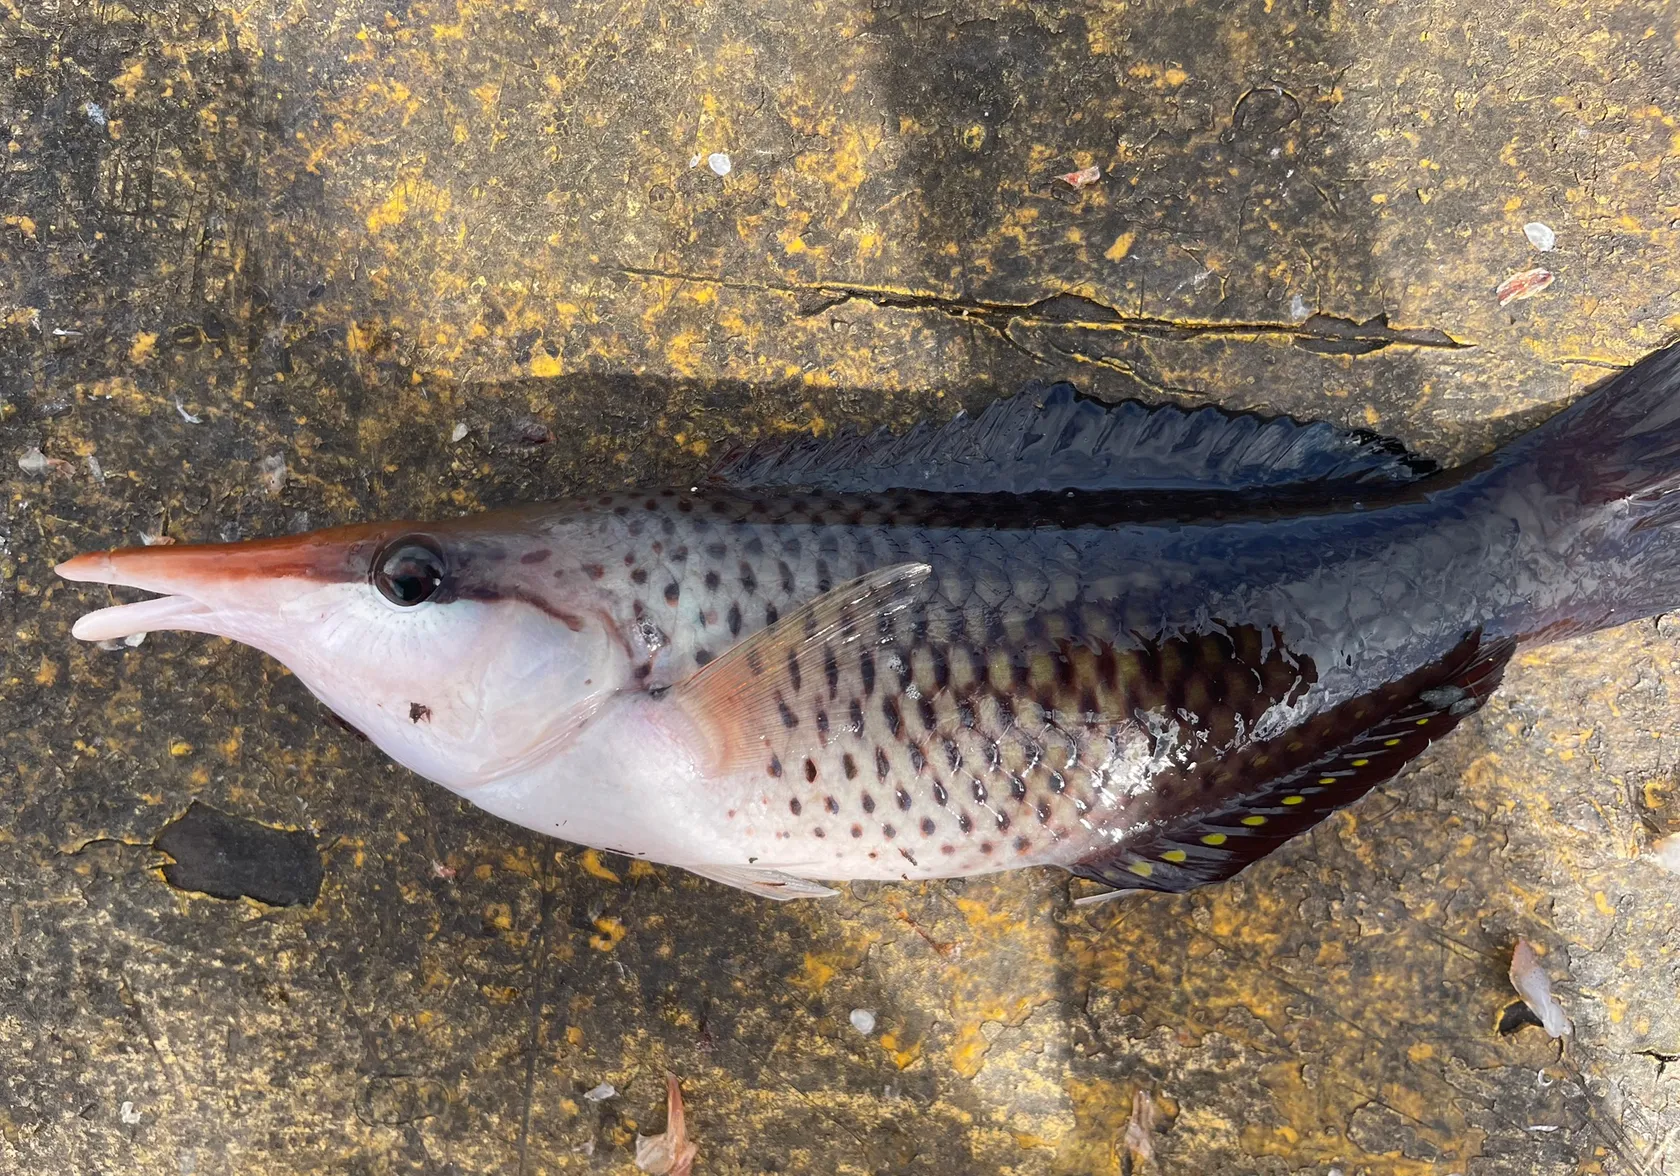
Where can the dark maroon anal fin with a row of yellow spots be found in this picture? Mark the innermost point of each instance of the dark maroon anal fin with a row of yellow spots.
(1291, 784)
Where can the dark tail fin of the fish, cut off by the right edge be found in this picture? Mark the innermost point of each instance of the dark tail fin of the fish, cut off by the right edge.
(1612, 466)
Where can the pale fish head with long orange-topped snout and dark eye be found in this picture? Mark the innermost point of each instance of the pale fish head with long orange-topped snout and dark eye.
(449, 646)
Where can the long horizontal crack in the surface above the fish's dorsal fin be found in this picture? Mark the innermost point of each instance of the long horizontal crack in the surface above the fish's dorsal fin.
(1320, 332)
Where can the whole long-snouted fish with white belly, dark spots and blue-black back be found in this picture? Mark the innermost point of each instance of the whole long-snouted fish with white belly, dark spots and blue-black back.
(1148, 646)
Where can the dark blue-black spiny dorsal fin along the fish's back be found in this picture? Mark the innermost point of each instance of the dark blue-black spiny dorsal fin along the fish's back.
(1054, 439)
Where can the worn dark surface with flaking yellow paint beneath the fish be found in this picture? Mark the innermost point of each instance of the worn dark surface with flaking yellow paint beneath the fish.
(333, 233)
